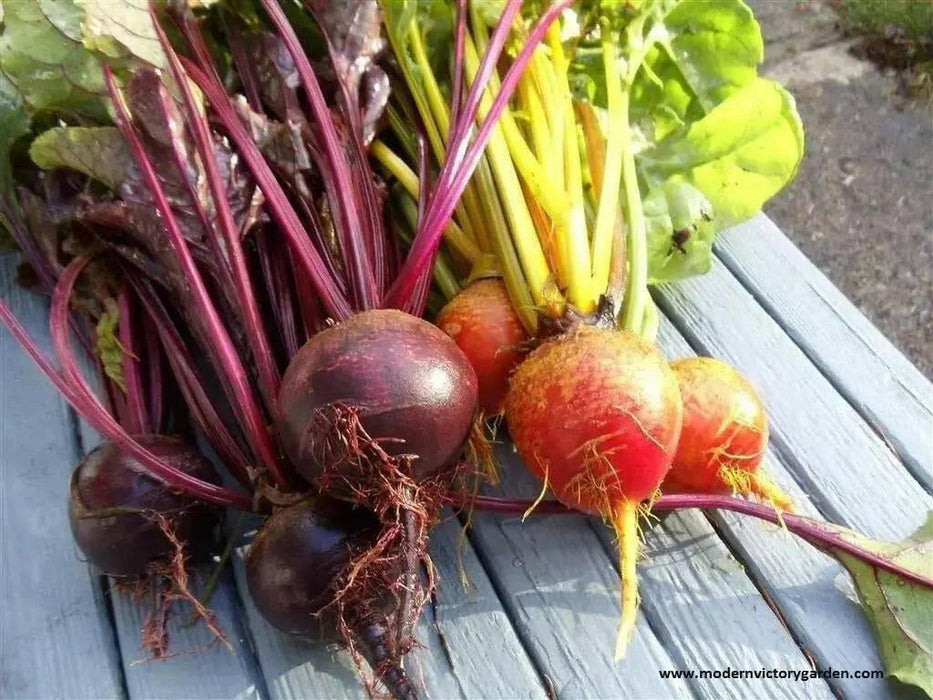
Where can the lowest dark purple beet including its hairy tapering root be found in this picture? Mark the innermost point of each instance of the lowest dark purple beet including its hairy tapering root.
(315, 570)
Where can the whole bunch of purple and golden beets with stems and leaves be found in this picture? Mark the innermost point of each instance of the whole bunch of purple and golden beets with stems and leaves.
(243, 284)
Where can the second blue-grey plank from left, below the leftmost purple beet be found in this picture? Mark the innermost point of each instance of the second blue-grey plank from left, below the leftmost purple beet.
(196, 669)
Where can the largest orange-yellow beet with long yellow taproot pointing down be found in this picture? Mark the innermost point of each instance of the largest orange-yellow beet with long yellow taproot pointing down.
(596, 415)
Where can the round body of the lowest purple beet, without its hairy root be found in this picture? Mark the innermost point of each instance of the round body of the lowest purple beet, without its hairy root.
(295, 564)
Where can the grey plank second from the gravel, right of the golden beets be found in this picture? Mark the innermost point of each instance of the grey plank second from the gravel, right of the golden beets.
(832, 452)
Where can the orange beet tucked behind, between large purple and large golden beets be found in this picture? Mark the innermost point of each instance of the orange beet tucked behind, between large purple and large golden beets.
(484, 326)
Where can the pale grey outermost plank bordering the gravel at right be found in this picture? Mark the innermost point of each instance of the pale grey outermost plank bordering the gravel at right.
(882, 384)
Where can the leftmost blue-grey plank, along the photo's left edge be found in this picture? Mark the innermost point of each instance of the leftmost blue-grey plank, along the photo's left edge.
(55, 637)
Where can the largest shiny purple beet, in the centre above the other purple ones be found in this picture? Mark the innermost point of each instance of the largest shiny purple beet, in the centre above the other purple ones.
(414, 388)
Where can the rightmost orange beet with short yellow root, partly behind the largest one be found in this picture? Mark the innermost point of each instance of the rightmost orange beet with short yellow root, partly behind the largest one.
(724, 437)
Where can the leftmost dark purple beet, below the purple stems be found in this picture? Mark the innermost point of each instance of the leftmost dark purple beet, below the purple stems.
(125, 543)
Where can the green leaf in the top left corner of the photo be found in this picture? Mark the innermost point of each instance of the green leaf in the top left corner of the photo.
(42, 55)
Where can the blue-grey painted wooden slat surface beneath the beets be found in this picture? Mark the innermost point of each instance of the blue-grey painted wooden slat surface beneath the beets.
(852, 441)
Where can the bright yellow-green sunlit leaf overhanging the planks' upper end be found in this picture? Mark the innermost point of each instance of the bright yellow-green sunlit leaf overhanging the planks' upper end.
(739, 155)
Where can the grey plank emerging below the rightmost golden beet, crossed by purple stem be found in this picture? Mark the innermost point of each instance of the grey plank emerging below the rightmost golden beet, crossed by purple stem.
(810, 589)
